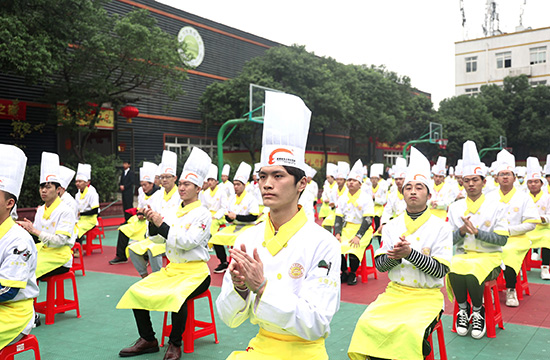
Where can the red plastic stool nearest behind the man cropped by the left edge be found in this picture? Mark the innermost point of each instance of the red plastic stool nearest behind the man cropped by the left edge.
(55, 297)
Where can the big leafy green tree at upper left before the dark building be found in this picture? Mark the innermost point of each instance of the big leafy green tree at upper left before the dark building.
(96, 58)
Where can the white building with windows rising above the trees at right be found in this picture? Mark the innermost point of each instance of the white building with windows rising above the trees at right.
(489, 60)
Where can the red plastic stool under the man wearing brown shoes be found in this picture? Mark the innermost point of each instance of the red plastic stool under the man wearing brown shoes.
(190, 334)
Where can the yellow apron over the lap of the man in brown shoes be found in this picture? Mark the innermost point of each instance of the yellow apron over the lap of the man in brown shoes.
(167, 289)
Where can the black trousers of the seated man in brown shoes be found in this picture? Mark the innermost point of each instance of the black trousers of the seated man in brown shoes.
(145, 327)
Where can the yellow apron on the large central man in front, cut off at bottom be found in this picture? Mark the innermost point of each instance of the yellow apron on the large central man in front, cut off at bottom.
(271, 346)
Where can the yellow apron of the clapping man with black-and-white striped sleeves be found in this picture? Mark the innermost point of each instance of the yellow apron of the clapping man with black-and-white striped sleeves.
(393, 326)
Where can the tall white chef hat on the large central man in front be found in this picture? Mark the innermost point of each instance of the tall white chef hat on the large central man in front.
(286, 125)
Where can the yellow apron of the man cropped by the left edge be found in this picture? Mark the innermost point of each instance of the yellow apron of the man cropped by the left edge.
(15, 316)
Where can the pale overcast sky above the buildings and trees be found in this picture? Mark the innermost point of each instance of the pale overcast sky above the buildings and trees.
(411, 38)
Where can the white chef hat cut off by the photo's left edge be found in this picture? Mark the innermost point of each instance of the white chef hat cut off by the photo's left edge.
(12, 169)
